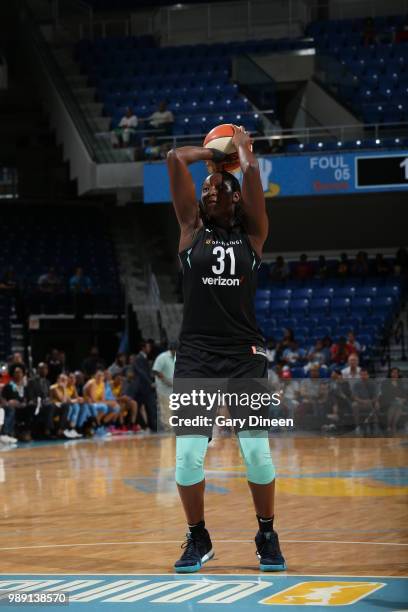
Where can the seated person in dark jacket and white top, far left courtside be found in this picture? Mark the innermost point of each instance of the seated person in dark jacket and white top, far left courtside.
(18, 414)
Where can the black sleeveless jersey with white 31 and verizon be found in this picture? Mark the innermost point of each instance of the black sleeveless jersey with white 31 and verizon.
(219, 283)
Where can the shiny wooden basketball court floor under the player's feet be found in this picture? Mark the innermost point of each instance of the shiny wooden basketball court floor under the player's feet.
(110, 507)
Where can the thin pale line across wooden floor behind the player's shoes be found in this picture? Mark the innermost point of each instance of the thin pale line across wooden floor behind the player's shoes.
(38, 546)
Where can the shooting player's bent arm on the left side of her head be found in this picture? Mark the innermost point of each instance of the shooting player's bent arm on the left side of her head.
(182, 185)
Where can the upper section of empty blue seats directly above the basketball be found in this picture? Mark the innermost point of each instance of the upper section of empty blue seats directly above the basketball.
(194, 79)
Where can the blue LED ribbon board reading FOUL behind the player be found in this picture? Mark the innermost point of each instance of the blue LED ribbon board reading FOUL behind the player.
(336, 173)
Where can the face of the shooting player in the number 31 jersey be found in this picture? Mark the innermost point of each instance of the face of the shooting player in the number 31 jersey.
(218, 197)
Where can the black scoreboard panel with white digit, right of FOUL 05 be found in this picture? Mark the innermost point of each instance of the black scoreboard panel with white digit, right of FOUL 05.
(382, 171)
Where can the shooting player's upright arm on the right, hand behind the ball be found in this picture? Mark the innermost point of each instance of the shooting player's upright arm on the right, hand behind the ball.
(253, 200)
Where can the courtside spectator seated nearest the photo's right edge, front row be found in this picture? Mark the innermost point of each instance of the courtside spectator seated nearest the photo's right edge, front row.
(394, 400)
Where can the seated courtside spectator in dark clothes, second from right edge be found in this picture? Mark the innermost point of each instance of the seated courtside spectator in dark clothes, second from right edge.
(365, 403)
